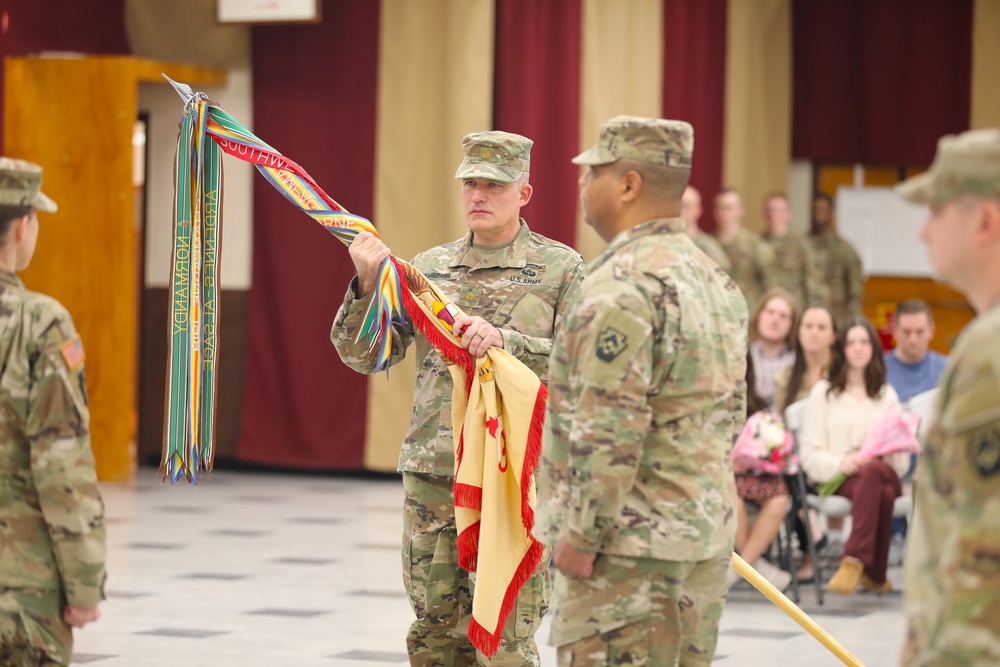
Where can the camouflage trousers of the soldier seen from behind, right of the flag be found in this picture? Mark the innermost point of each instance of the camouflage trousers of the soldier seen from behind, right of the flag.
(640, 611)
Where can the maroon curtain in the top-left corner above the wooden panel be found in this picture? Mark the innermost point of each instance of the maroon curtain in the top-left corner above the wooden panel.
(97, 26)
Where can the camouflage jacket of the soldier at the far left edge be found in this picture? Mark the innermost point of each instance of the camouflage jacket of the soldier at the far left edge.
(52, 536)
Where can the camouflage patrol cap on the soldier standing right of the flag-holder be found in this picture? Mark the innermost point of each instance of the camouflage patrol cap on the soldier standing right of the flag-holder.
(655, 140)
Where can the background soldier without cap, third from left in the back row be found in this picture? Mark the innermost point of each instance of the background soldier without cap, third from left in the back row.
(795, 265)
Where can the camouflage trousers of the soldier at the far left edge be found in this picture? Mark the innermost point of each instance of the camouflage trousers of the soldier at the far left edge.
(32, 630)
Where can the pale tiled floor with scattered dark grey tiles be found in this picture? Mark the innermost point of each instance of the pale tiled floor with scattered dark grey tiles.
(273, 570)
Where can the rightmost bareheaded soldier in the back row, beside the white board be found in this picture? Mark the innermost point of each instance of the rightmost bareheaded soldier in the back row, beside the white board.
(839, 263)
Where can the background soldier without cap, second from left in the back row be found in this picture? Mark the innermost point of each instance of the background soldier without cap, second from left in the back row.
(751, 259)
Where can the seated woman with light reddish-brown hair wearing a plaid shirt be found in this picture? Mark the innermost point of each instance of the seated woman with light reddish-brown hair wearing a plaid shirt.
(772, 338)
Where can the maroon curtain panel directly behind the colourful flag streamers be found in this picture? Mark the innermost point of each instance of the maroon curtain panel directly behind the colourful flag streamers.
(314, 90)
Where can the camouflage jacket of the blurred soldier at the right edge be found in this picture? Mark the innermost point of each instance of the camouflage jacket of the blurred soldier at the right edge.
(953, 557)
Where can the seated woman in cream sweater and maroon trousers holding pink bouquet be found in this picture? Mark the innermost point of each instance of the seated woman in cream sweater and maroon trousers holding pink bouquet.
(840, 414)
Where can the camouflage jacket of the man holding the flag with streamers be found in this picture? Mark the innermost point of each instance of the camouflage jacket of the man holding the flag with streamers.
(522, 290)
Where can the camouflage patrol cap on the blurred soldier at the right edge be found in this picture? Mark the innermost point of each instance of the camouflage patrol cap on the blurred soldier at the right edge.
(965, 164)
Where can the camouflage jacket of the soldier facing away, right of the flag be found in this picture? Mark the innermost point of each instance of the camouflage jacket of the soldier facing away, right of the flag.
(647, 396)
